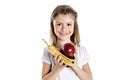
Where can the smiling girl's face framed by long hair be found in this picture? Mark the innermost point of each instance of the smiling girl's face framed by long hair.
(64, 26)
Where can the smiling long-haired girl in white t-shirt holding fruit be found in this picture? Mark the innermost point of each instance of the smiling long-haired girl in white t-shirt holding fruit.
(64, 29)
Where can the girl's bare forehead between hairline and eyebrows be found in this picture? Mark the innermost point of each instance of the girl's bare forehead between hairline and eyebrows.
(64, 17)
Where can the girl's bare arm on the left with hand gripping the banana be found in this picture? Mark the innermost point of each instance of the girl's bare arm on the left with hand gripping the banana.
(47, 74)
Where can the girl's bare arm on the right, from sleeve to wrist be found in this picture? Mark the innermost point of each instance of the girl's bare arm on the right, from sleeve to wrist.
(84, 73)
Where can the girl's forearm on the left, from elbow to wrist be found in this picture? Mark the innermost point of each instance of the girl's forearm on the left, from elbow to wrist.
(52, 75)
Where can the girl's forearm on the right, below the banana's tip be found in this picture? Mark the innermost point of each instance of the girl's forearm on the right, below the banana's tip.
(81, 74)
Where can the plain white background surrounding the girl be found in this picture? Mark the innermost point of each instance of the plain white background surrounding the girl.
(23, 23)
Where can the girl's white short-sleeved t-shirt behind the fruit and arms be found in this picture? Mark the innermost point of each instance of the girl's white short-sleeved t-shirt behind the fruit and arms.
(67, 73)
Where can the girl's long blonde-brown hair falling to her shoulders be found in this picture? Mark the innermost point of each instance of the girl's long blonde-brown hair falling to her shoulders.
(64, 9)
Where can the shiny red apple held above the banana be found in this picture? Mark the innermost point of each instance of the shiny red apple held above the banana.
(69, 50)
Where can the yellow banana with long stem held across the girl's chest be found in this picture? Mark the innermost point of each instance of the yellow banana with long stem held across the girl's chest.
(54, 51)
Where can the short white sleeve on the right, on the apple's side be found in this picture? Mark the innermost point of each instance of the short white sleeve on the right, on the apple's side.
(83, 56)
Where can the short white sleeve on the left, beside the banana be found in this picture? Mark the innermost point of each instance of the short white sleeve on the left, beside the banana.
(46, 56)
